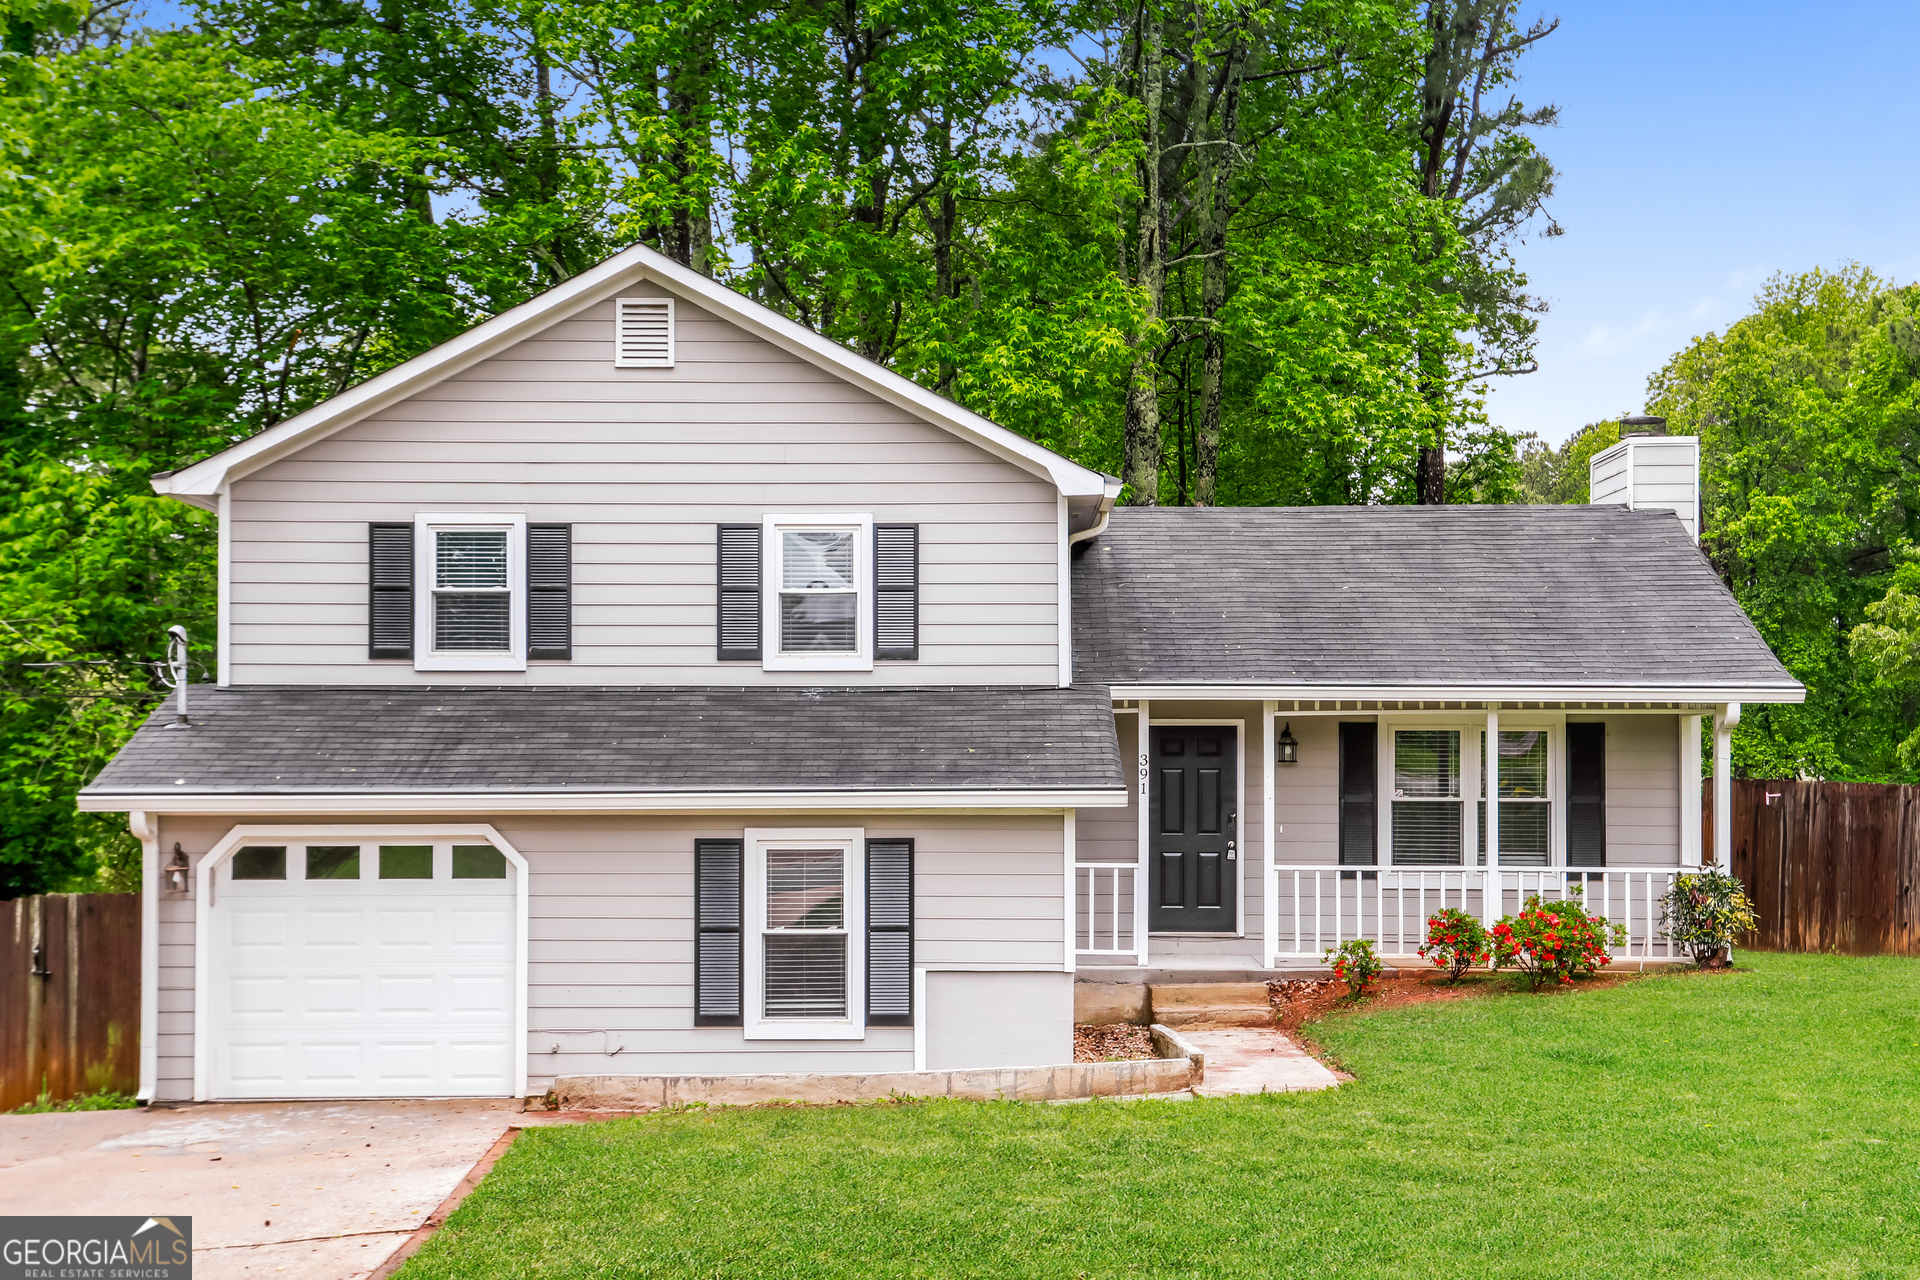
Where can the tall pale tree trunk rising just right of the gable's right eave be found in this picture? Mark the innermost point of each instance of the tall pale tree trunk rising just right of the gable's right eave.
(1141, 448)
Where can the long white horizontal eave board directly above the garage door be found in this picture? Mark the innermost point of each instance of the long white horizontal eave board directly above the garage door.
(608, 803)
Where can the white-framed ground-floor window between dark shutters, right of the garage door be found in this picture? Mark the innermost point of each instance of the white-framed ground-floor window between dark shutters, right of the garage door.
(805, 966)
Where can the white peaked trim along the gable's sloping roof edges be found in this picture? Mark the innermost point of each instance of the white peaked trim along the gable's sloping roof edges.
(203, 483)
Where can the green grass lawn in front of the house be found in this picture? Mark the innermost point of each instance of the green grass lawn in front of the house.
(1764, 1124)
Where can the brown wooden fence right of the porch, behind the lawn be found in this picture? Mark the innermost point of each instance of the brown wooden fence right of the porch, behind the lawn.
(1831, 866)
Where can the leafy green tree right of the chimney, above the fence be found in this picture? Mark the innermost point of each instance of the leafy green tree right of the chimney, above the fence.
(1810, 423)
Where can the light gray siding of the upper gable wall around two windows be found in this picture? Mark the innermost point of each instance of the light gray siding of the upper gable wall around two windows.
(644, 463)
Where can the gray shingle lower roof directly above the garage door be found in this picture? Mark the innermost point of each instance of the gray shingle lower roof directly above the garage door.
(304, 740)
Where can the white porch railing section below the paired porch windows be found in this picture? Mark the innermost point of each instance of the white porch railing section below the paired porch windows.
(1320, 907)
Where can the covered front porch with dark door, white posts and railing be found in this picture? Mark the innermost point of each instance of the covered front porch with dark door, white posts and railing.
(1326, 822)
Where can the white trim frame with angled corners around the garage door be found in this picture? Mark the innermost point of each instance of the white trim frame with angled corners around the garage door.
(348, 834)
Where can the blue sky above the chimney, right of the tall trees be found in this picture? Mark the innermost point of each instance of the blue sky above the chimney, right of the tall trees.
(1706, 147)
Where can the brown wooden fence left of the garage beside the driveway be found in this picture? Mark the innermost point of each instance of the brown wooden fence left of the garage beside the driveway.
(70, 997)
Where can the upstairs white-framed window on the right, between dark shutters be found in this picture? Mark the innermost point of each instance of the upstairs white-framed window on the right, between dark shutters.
(821, 584)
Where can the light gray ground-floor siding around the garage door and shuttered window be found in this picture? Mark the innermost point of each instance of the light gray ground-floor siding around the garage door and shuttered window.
(612, 936)
